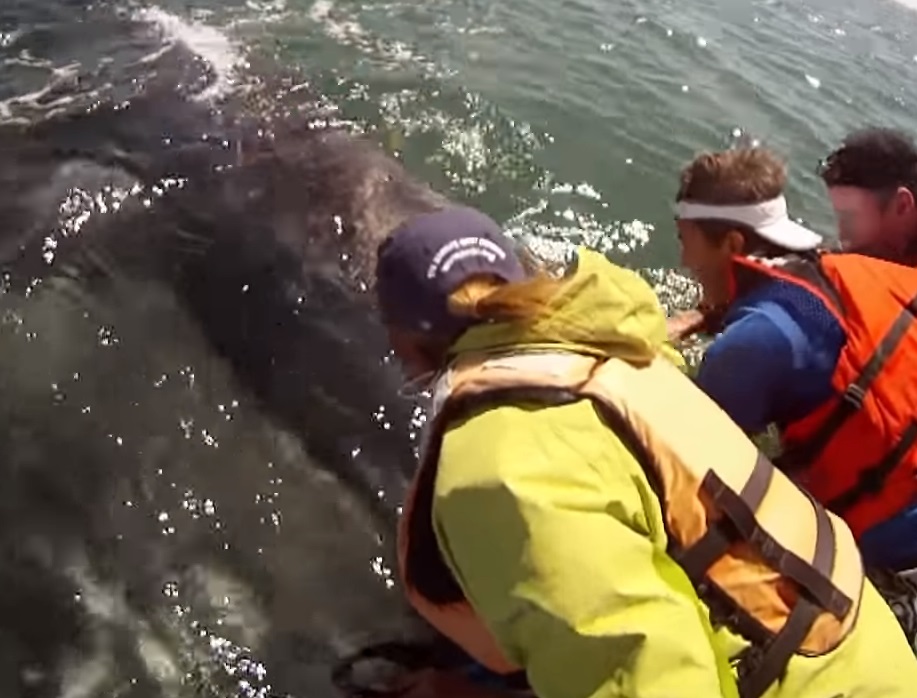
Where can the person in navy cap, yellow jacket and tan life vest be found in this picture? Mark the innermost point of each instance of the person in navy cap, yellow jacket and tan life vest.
(583, 513)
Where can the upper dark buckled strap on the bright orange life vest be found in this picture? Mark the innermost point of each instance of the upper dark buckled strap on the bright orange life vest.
(851, 401)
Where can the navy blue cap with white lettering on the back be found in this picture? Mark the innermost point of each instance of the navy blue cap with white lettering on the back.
(421, 263)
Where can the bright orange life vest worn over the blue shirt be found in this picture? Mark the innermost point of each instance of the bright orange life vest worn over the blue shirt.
(856, 453)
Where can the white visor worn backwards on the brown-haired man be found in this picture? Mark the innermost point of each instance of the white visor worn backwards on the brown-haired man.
(769, 219)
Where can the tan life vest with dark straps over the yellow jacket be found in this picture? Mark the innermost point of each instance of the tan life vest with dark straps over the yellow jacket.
(771, 564)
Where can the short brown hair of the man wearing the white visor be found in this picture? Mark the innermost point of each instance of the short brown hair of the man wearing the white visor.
(734, 177)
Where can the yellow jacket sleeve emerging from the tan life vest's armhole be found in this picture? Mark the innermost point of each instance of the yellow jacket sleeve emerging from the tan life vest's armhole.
(554, 534)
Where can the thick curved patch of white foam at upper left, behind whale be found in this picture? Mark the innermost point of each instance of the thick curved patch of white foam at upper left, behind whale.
(224, 55)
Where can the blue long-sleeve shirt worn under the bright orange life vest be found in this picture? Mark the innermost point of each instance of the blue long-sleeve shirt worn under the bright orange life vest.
(773, 363)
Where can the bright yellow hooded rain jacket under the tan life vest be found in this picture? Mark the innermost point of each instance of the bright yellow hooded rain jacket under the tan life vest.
(556, 538)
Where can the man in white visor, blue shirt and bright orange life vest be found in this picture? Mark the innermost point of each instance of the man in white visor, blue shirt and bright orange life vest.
(786, 310)
